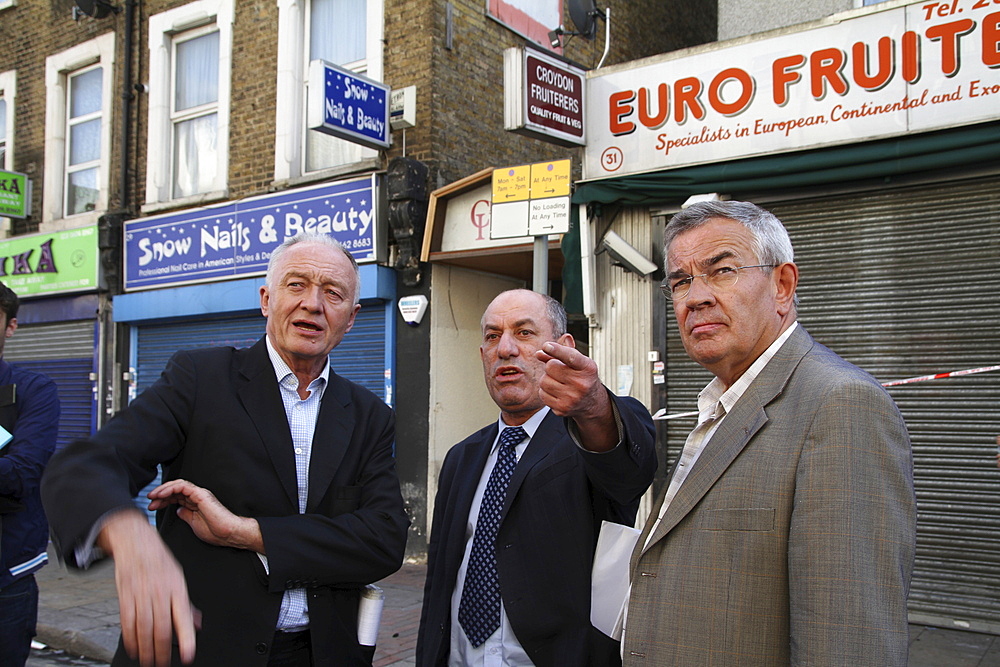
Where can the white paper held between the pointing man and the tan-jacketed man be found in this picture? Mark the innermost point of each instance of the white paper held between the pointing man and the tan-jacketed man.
(609, 580)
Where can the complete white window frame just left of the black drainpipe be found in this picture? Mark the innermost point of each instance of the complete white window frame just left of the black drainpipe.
(58, 67)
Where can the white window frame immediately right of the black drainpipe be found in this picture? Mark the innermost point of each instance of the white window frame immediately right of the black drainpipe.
(159, 161)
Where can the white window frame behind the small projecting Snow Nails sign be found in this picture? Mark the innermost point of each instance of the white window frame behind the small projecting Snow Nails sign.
(290, 122)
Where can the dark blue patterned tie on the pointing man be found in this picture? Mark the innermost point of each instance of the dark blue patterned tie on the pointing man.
(479, 610)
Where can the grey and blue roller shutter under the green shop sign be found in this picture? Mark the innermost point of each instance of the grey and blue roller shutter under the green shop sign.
(65, 353)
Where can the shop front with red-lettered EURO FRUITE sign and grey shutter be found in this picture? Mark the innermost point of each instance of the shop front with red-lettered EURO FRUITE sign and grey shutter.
(874, 137)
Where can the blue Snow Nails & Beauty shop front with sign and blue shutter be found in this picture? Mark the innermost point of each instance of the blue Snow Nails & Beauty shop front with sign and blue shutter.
(193, 279)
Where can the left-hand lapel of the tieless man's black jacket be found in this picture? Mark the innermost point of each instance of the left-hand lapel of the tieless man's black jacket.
(261, 398)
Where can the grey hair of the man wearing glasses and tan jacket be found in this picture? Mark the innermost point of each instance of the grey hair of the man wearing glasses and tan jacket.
(770, 238)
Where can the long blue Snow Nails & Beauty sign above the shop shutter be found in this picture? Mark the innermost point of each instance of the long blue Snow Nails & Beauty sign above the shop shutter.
(235, 239)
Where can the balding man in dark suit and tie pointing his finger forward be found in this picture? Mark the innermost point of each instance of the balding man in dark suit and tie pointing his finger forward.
(520, 503)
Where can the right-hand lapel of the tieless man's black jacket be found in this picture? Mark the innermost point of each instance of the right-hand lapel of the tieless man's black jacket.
(334, 427)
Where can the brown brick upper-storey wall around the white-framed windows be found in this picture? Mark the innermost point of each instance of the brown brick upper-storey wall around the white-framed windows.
(459, 89)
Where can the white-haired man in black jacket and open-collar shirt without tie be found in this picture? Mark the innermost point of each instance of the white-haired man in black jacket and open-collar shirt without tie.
(283, 477)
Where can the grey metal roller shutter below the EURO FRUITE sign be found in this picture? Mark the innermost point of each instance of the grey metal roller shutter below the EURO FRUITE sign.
(904, 283)
